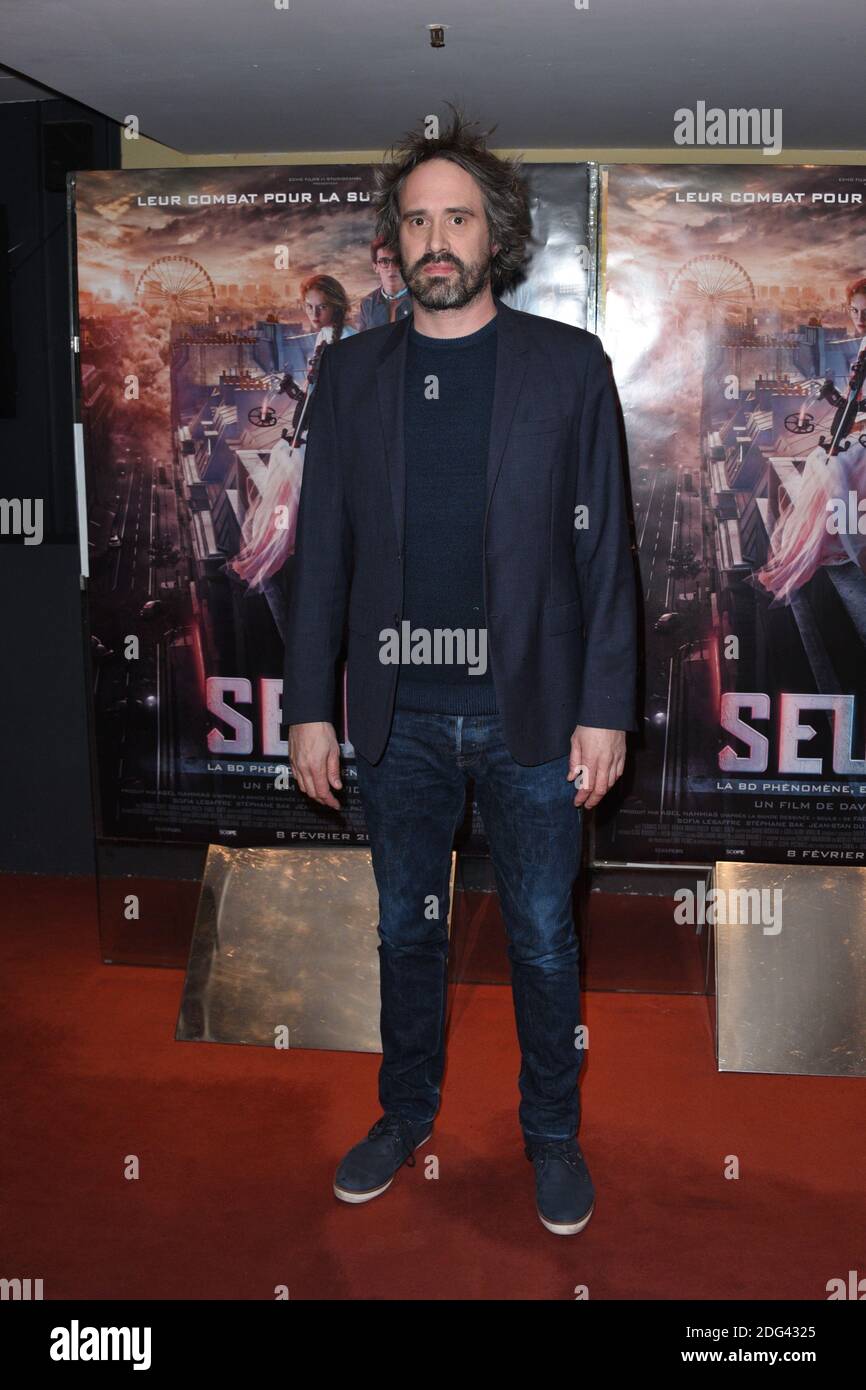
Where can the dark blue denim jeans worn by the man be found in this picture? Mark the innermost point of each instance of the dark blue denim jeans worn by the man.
(414, 800)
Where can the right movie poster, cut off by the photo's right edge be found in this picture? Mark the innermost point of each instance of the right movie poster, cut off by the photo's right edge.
(735, 312)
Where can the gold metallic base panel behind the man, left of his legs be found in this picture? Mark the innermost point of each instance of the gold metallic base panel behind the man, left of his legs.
(286, 951)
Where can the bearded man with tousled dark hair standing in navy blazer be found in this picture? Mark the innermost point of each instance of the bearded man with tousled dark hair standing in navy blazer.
(464, 505)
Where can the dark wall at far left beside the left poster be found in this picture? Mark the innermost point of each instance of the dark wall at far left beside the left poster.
(47, 821)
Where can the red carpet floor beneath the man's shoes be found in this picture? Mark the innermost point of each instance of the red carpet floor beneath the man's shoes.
(238, 1147)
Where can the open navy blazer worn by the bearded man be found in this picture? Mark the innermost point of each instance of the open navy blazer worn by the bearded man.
(561, 598)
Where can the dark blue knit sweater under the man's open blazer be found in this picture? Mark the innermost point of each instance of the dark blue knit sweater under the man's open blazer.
(447, 440)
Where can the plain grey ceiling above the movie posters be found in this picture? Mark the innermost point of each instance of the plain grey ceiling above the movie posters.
(240, 76)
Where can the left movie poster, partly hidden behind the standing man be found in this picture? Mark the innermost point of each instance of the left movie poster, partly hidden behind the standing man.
(205, 301)
